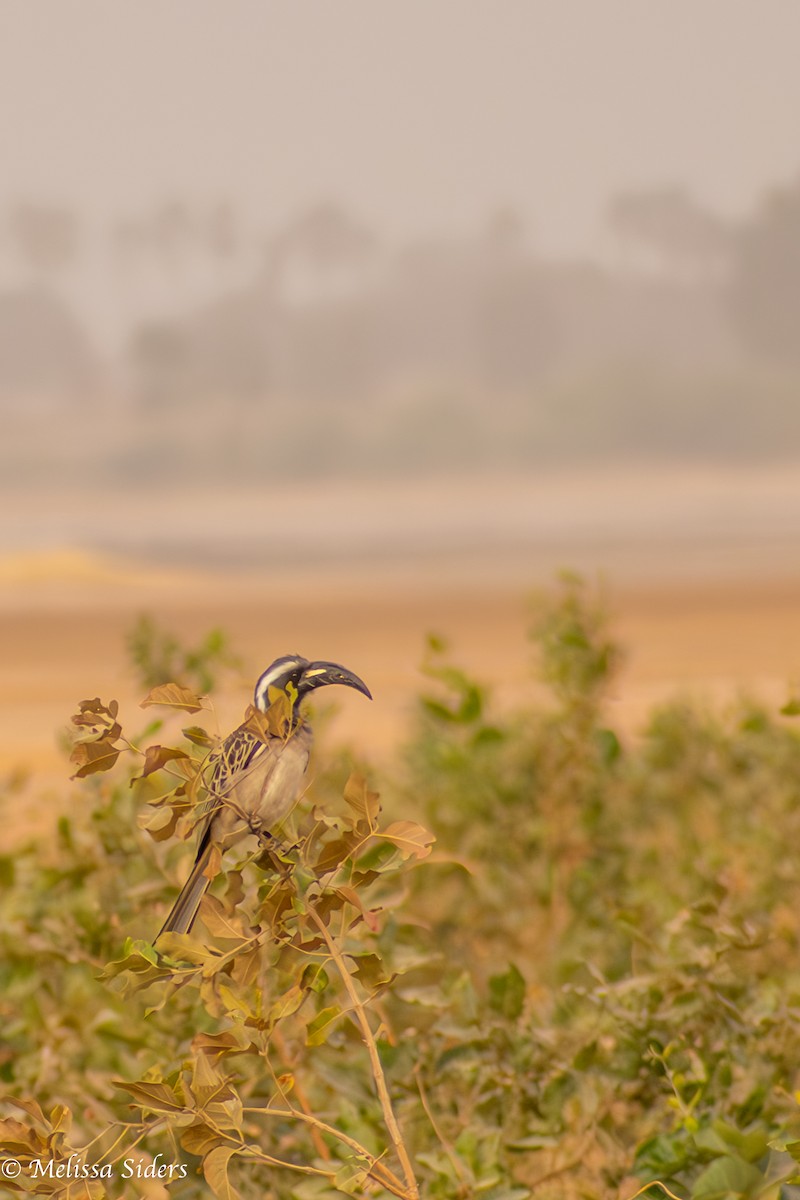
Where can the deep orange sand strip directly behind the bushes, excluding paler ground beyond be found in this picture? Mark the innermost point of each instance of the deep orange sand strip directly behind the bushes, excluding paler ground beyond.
(64, 622)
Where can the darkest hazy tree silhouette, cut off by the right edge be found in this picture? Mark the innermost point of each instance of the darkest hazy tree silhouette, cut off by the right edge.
(765, 291)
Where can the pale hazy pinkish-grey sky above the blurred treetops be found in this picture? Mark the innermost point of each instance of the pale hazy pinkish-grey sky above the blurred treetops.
(422, 115)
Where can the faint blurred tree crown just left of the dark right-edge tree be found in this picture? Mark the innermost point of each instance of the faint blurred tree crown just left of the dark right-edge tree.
(672, 230)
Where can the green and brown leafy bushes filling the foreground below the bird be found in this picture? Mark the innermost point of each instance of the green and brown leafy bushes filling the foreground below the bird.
(588, 988)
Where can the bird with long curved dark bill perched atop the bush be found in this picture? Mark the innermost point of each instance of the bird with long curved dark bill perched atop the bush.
(254, 779)
